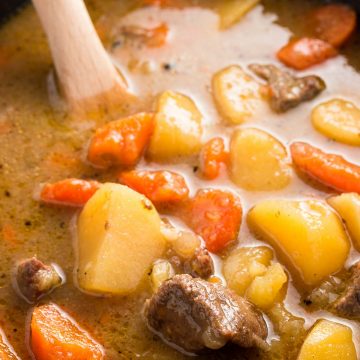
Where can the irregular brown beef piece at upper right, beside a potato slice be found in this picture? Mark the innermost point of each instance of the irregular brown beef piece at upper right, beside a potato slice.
(286, 90)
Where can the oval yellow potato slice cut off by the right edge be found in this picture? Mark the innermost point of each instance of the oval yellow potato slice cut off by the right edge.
(339, 120)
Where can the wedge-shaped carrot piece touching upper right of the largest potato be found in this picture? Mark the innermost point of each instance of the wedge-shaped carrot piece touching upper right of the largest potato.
(161, 187)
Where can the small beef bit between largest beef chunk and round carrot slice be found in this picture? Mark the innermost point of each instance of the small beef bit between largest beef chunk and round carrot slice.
(200, 265)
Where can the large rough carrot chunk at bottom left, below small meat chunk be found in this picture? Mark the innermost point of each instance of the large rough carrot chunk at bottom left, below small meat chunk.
(55, 336)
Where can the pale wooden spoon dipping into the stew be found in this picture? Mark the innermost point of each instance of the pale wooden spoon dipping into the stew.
(88, 79)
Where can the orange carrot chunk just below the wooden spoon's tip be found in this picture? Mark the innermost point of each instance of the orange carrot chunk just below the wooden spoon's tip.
(121, 142)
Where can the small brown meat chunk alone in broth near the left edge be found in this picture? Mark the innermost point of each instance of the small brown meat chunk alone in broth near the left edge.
(34, 279)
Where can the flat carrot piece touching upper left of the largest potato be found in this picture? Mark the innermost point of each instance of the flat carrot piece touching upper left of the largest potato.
(71, 192)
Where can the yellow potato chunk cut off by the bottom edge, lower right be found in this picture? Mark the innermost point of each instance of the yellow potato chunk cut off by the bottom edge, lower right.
(328, 340)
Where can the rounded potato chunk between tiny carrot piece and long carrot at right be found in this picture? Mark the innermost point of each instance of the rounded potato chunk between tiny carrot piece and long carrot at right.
(258, 161)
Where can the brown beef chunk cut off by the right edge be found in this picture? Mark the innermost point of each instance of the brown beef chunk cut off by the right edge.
(348, 305)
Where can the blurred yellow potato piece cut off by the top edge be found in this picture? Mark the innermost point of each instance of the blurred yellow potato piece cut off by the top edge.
(231, 11)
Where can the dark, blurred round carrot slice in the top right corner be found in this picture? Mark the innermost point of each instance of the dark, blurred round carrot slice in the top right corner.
(333, 23)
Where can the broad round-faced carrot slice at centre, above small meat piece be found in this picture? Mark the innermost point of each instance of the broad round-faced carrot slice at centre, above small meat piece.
(216, 216)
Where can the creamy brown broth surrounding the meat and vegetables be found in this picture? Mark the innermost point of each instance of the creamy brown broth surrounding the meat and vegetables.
(40, 143)
